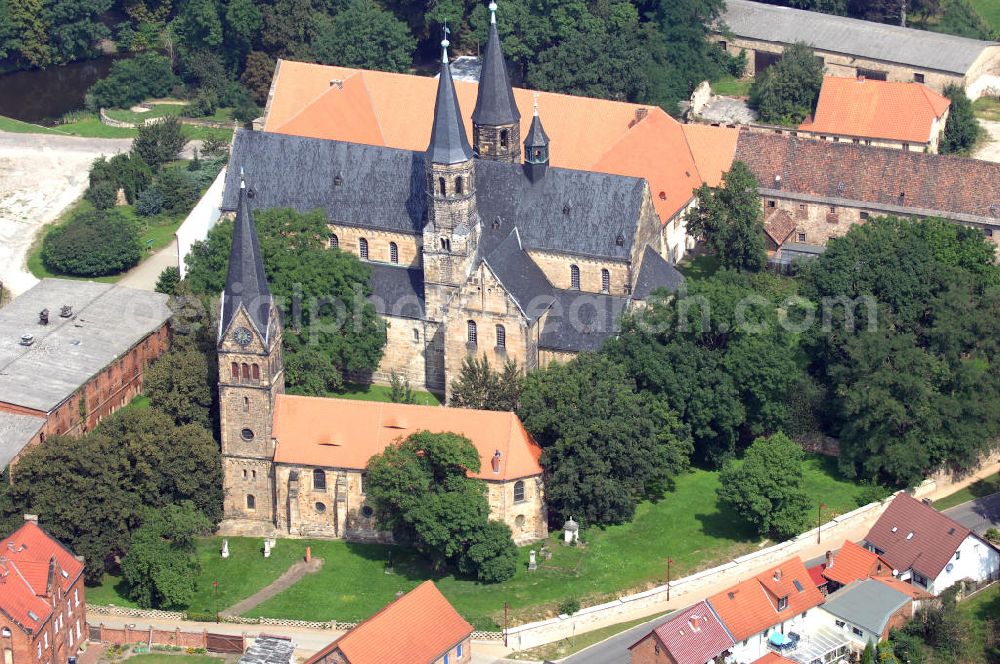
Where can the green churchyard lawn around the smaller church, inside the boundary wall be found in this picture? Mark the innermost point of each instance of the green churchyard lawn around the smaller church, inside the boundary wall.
(687, 525)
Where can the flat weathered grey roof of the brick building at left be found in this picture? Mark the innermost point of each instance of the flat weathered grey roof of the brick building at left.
(108, 320)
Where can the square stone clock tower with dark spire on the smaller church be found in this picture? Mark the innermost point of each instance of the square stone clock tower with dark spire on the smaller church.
(251, 375)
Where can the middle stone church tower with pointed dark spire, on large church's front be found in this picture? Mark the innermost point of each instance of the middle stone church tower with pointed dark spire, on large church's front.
(452, 231)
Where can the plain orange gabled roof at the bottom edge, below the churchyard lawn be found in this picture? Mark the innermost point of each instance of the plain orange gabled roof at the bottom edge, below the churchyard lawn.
(418, 628)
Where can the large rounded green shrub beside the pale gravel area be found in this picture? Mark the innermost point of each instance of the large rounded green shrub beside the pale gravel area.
(93, 244)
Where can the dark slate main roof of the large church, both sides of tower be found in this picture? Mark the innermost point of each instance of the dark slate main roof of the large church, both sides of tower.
(567, 211)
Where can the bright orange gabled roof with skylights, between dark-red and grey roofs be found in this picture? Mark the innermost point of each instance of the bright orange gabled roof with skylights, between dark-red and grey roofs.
(751, 606)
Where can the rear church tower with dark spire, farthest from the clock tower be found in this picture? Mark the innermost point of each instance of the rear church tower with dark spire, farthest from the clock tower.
(496, 122)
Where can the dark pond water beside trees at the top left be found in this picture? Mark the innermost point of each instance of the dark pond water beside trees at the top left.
(43, 95)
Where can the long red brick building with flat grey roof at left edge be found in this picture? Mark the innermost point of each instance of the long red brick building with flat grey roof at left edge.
(71, 353)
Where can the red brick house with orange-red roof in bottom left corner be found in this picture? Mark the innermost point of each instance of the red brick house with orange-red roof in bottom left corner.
(42, 605)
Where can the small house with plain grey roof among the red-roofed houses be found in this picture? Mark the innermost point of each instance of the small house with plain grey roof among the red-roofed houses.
(867, 609)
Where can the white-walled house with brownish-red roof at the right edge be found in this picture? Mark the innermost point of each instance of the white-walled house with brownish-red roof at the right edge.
(928, 549)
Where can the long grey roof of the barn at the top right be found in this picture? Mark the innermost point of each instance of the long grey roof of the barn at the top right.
(839, 34)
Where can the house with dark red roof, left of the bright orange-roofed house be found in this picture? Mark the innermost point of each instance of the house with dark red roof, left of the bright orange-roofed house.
(693, 636)
